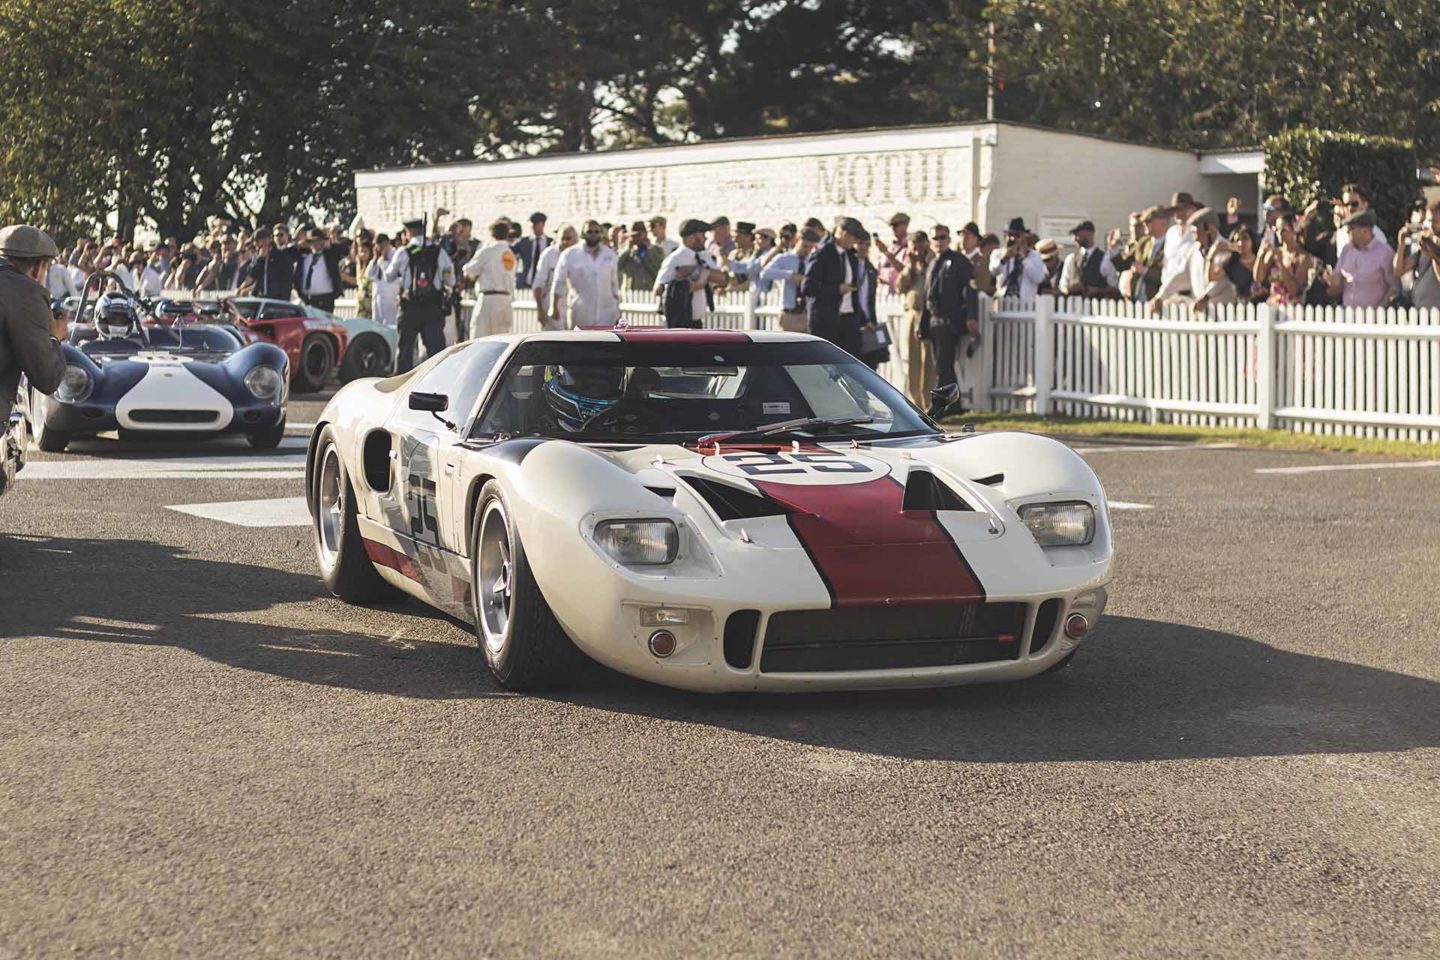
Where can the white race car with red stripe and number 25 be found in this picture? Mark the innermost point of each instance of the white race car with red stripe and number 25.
(711, 510)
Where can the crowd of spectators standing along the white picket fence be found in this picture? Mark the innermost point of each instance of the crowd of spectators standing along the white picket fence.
(827, 276)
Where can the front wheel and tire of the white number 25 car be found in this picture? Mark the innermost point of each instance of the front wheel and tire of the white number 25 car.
(523, 644)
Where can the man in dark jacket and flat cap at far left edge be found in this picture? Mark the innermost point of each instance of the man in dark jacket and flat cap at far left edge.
(30, 332)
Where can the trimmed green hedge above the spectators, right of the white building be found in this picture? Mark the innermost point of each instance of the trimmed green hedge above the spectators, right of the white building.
(1314, 165)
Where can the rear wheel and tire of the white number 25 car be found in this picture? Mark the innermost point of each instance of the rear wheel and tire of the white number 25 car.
(345, 566)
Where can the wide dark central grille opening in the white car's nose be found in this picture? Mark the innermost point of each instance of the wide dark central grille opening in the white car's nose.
(892, 638)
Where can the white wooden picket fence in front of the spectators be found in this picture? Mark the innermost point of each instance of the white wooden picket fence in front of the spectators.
(1310, 369)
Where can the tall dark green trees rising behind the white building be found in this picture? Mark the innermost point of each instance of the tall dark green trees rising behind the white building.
(172, 110)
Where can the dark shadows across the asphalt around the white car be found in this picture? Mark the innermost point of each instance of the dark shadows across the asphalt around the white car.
(1141, 690)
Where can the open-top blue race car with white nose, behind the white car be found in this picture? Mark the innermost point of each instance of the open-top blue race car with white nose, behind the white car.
(142, 379)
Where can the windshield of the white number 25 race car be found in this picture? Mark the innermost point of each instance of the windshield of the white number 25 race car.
(634, 392)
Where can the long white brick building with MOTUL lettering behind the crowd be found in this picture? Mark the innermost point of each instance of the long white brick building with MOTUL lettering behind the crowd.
(953, 173)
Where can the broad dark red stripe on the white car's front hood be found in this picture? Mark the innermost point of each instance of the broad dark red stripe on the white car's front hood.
(873, 553)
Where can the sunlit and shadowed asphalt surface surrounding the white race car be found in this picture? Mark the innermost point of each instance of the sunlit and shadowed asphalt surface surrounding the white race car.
(202, 755)
